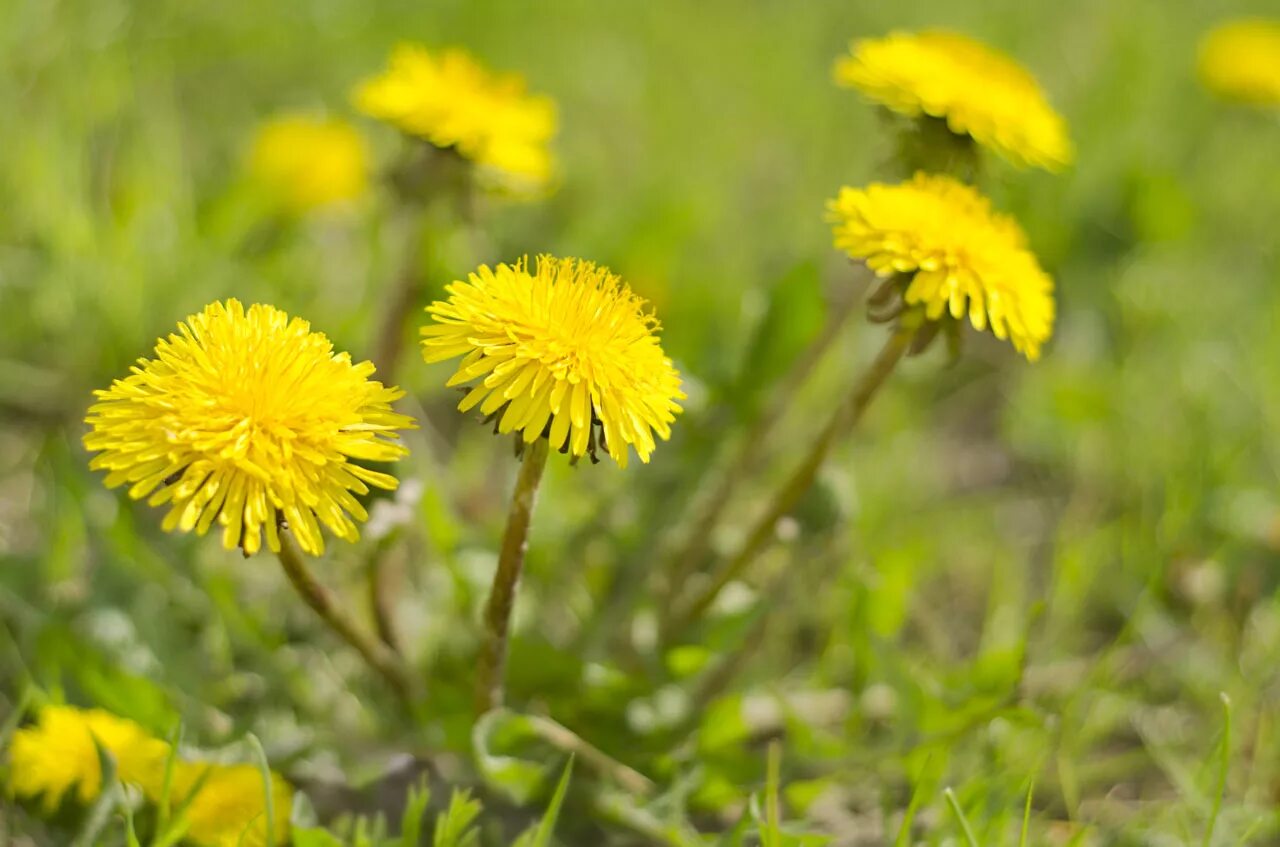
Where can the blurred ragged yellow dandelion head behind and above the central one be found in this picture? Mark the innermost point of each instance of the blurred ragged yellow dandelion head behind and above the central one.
(452, 102)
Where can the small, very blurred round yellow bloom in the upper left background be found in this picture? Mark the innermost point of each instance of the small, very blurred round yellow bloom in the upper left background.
(308, 163)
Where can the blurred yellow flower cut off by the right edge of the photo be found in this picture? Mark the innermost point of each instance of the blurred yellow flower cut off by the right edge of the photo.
(1241, 61)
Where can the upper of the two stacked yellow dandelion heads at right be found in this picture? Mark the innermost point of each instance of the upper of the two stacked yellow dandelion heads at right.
(976, 90)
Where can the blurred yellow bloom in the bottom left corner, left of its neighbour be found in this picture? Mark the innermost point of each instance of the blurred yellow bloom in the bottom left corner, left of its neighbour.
(57, 754)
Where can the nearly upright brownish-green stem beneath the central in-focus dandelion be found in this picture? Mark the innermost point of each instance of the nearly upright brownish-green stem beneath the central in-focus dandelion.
(511, 562)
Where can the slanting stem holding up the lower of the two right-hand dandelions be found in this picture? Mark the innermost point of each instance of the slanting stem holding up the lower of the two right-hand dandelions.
(787, 498)
